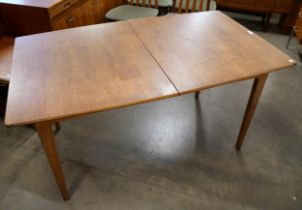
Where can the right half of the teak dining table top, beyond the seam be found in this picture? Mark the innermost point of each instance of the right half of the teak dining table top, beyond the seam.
(207, 49)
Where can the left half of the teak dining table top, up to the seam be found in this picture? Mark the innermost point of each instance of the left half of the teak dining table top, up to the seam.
(79, 71)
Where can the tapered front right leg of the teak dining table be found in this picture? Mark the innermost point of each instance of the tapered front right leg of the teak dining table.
(251, 107)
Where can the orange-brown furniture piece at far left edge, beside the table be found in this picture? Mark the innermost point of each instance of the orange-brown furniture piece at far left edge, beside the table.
(6, 56)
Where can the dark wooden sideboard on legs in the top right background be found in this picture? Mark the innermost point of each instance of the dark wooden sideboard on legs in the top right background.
(287, 8)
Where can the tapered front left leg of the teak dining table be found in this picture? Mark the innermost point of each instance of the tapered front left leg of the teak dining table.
(47, 139)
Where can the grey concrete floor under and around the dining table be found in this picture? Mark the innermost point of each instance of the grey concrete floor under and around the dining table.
(172, 154)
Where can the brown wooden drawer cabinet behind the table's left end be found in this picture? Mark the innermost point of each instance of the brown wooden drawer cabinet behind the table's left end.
(32, 16)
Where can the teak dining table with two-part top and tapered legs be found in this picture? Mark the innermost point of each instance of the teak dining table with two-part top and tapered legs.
(70, 73)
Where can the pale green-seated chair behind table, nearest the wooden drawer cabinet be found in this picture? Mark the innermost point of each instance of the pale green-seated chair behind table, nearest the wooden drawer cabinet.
(133, 10)
